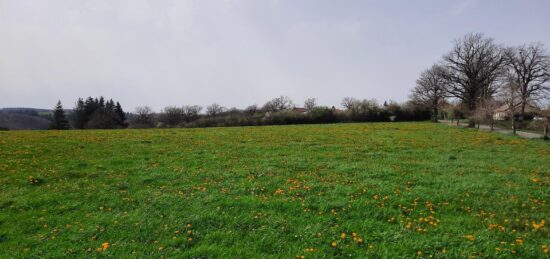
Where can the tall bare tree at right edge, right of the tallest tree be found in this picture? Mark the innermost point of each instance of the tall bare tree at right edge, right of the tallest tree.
(531, 67)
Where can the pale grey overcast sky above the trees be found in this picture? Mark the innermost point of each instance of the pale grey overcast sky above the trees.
(239, 52)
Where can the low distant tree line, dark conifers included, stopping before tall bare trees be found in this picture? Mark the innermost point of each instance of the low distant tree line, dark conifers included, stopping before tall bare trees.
(96, 113)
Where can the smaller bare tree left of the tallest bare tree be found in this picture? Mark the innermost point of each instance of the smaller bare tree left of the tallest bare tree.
(431, 89)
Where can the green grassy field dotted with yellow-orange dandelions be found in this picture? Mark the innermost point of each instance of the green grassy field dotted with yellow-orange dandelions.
(345, 190)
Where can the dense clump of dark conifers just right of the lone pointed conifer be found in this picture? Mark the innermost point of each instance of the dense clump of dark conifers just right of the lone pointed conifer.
(96, 113)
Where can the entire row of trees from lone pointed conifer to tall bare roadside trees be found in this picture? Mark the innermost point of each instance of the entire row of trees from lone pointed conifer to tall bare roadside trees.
(474, 79)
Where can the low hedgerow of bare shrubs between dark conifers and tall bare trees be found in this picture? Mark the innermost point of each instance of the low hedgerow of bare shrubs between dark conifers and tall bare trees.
(277, 111)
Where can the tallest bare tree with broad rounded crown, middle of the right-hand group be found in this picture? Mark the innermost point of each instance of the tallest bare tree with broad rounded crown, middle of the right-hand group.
(473, 68)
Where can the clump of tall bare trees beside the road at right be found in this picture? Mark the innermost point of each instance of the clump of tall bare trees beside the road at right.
(484, 76)
